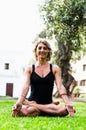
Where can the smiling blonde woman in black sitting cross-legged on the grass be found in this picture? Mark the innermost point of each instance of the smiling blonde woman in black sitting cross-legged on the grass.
(41, 77)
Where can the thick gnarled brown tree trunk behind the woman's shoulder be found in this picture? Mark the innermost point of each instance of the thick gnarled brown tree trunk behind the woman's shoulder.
(64, 55)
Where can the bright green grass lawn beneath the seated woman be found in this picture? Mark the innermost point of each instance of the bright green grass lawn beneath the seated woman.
(41, 123)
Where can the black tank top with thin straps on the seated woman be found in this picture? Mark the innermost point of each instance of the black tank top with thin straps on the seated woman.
(41, 88)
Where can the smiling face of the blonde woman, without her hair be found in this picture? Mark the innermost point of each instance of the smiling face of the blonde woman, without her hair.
(41, 51)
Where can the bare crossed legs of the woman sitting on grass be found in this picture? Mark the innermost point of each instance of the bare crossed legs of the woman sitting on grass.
(31, 108)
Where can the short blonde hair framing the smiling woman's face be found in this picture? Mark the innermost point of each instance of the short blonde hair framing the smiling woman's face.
(45, 42)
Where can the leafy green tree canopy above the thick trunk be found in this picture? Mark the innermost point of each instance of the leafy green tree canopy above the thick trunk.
(66, 19)
